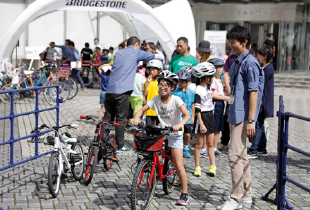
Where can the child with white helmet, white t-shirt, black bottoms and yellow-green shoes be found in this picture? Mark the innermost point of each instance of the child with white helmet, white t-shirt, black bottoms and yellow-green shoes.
(204, 121)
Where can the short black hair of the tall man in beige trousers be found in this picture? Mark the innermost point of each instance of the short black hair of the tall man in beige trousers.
(239, 33)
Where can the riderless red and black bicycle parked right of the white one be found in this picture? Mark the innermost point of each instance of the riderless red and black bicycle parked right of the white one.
(102, 147)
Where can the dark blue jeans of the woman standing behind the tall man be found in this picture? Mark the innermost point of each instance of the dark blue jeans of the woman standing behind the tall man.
(259, 140)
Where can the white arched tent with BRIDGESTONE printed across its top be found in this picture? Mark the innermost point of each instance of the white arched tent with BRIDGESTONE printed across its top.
(163, 23)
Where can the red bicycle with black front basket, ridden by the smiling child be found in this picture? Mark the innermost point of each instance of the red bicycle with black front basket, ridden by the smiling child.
(148, 143)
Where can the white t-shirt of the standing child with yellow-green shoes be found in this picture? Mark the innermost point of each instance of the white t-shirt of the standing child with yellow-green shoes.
(203, 99)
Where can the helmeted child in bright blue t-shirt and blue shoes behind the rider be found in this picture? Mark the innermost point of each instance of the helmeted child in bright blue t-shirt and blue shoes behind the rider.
(187, 95)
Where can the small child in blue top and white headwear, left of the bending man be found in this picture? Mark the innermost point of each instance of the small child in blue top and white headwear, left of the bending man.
(104, 73)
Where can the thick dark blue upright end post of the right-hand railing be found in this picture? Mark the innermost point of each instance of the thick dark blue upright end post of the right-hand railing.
(280, 151)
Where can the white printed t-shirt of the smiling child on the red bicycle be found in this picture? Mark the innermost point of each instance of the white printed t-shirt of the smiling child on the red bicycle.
(168, 114)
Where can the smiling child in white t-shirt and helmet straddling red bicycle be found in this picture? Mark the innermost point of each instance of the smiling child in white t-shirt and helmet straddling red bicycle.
(169, 109)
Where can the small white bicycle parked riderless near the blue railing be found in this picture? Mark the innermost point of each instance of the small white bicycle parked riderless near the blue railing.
(66, 155)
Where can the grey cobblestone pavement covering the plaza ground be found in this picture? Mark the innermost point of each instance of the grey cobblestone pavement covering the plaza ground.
(24, 186)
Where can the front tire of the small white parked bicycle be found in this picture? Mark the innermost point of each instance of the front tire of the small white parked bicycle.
(54, 174)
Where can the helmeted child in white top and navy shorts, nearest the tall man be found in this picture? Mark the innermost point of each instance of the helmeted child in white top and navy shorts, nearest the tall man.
(219, 102)
